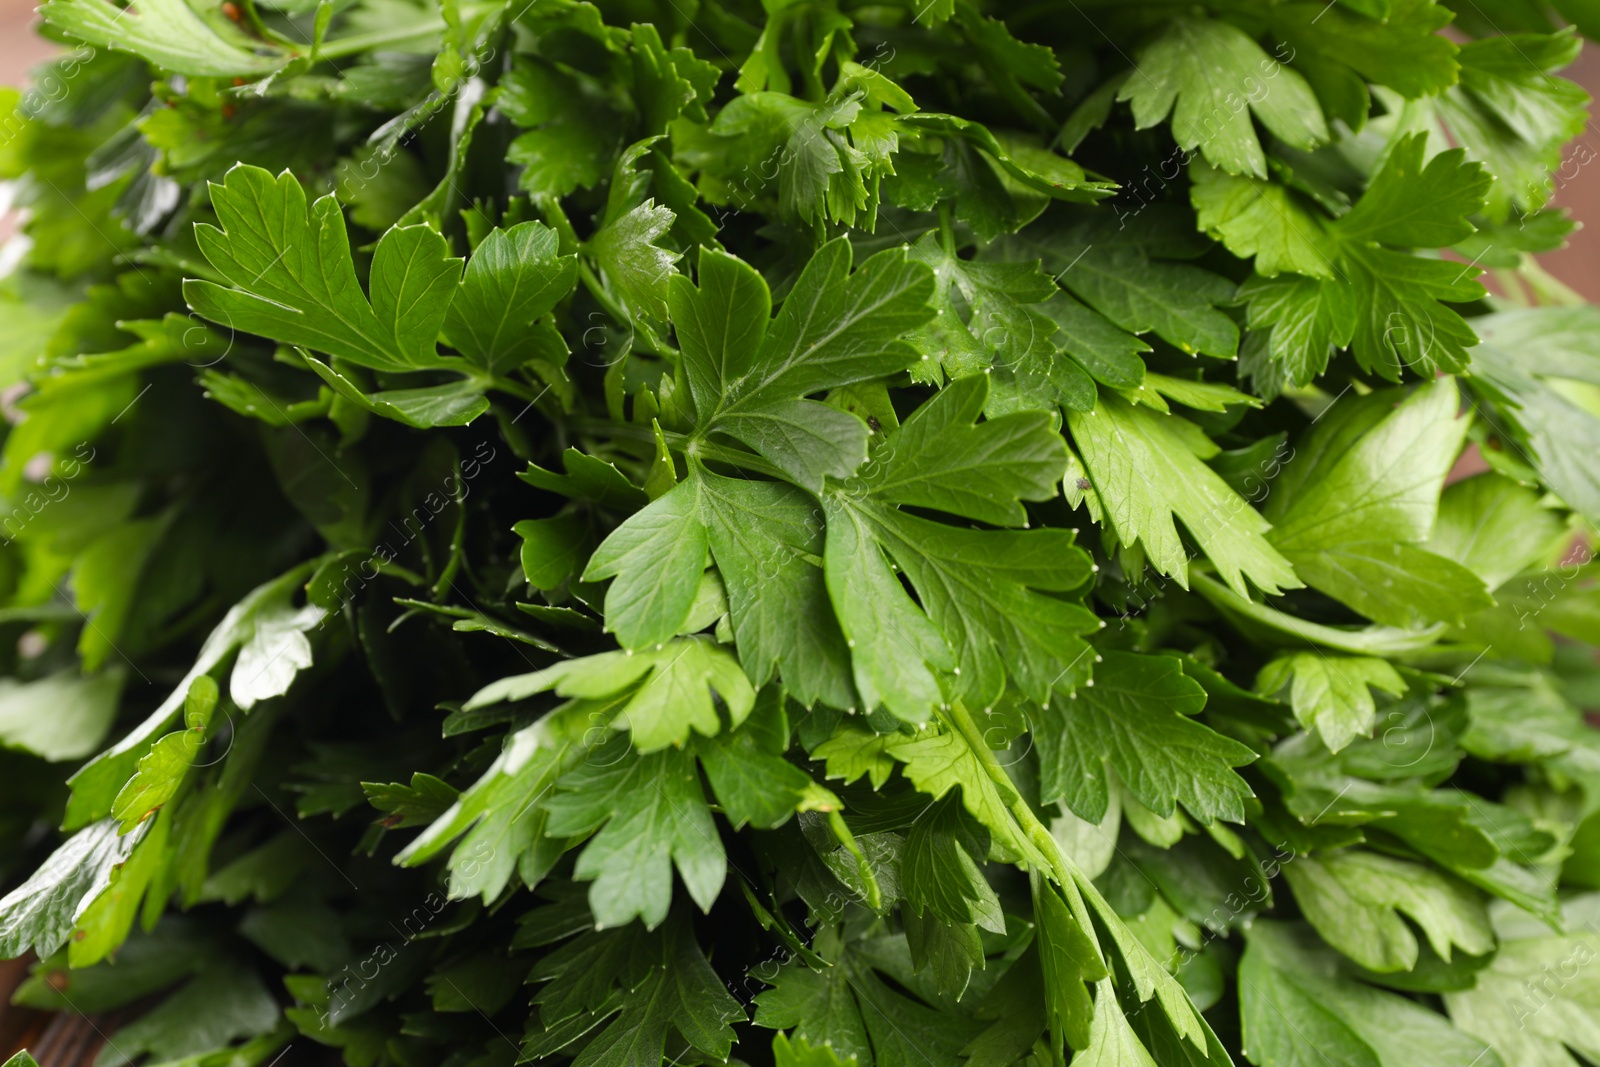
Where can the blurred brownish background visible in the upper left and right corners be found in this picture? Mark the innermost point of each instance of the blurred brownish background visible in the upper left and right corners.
(1578, 265)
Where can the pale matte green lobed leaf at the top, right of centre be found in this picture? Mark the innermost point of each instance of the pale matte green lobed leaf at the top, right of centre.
(1214, 73)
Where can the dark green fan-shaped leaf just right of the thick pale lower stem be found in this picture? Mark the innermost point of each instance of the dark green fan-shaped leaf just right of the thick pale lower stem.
(1135, 721)
